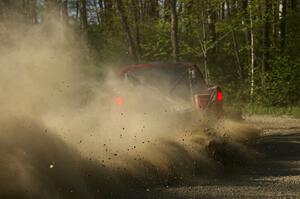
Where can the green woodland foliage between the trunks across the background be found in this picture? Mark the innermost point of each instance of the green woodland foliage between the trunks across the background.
(215, 33)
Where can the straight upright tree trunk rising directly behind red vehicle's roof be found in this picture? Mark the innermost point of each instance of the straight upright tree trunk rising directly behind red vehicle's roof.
(174, 31)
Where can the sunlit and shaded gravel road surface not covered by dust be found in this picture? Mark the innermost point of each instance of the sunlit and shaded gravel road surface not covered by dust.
(276, 174)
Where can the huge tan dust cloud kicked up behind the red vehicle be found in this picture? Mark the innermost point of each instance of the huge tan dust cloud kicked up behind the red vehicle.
(62, 135)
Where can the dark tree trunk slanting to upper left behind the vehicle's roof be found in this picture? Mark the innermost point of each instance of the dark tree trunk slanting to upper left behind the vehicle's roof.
(131, 47)
